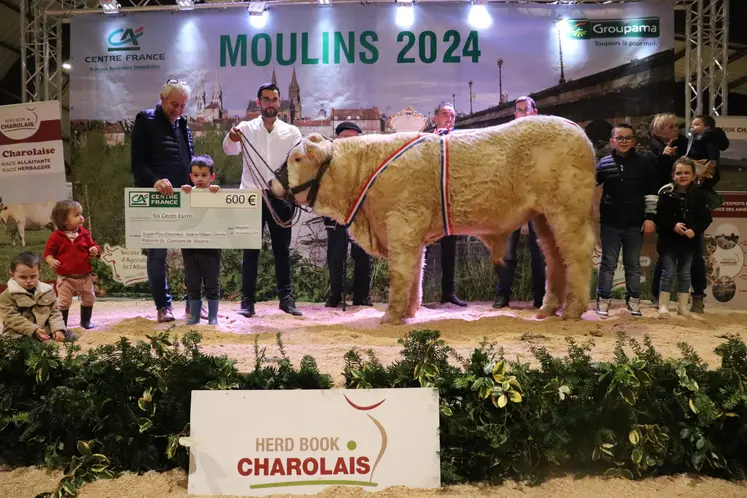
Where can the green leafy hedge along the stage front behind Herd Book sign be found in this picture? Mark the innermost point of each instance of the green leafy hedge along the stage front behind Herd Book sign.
(126, 407)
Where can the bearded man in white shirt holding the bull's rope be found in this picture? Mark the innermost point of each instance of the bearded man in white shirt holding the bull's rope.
(273, 139)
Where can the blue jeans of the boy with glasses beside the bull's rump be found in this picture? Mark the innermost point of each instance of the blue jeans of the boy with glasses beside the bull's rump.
(630, 239)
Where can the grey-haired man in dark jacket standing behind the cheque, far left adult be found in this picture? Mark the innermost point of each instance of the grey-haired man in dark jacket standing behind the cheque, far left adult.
(162, 149)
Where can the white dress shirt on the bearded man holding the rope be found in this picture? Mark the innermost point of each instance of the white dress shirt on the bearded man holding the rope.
(273, 146)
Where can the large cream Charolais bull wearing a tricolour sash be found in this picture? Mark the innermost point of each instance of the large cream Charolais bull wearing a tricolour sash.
(540, 168)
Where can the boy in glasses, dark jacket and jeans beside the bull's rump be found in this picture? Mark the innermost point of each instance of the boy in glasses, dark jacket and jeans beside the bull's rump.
(626, 214)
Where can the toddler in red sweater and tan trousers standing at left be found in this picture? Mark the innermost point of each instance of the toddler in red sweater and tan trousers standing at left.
(68, 251)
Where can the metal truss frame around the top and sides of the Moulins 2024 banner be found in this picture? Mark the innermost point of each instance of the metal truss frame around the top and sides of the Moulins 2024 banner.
(706, 44)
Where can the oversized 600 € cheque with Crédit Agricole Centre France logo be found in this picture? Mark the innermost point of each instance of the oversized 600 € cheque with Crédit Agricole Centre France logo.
(227, 219)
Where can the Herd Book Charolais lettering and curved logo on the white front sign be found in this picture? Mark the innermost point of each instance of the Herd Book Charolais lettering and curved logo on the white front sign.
(344, 462)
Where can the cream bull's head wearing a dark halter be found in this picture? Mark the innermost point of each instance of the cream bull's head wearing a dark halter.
(298, 178)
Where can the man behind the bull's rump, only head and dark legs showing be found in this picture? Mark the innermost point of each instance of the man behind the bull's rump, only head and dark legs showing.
(524, 107)
